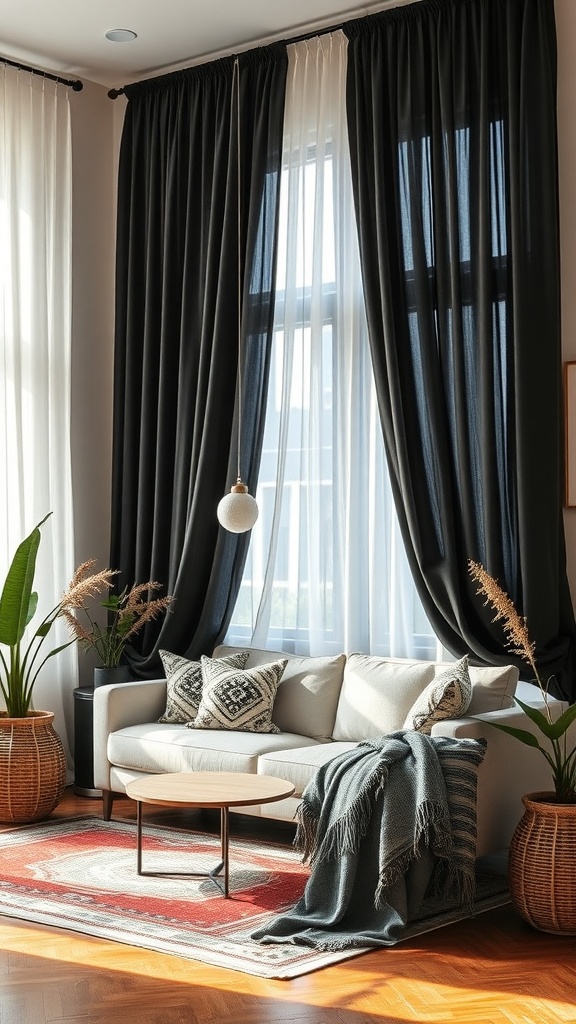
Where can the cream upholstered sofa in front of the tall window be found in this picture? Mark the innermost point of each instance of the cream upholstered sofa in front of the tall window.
(324, 706)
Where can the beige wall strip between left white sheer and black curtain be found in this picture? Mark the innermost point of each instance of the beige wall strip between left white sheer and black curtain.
(95, 147)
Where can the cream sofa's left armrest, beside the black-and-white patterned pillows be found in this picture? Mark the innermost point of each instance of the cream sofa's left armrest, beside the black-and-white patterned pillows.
(118, 706)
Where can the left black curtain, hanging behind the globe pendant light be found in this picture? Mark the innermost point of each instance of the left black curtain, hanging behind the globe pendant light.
(175, 450)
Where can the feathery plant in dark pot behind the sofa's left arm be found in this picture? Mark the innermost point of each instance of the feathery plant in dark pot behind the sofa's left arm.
(128, 613)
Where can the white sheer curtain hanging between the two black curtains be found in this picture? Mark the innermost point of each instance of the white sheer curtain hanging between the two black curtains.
(326, 570)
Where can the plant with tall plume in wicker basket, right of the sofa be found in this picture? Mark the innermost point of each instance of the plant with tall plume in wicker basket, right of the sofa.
(542, 876)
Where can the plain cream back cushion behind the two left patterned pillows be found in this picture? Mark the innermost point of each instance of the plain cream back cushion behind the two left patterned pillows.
(308, 695)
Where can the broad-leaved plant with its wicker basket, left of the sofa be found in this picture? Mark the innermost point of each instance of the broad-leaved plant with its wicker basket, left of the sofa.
(32, 757)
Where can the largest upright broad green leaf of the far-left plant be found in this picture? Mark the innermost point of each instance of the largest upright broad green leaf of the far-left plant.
(18, 603)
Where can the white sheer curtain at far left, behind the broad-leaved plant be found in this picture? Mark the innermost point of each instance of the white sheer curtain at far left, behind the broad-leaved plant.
(35, 352)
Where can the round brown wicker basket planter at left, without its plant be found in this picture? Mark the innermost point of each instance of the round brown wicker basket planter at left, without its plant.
(32, 767)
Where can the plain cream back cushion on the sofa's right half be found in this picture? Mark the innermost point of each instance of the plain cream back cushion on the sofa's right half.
(377, 696)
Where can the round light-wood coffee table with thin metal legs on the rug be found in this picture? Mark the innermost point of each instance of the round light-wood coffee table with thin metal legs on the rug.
(204, 789)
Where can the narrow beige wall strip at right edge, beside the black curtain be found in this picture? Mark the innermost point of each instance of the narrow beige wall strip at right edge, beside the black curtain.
(566, 30)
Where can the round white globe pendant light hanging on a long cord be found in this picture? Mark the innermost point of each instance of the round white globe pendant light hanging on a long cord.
(238, 511)
